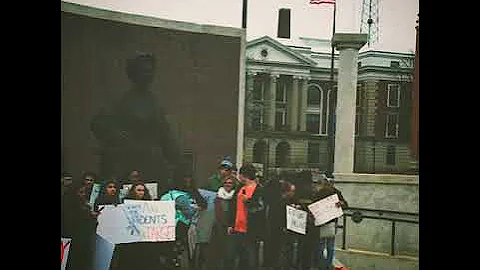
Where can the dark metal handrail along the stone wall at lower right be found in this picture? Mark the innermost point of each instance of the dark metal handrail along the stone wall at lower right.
(358, 214)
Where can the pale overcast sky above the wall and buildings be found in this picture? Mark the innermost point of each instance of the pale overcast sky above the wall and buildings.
(396, 26)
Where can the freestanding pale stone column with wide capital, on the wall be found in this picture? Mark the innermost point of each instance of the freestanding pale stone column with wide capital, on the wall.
(348, 45)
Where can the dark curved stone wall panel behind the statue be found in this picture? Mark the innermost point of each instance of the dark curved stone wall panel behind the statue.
(196, 83)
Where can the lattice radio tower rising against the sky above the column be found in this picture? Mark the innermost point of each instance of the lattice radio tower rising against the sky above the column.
(369, 20)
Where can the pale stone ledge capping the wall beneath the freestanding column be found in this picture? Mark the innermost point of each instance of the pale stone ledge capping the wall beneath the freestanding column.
(387, 179)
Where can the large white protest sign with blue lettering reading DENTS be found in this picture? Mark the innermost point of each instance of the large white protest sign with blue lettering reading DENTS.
(138, 221)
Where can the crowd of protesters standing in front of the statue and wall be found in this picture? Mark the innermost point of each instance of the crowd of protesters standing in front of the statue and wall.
(249, 229)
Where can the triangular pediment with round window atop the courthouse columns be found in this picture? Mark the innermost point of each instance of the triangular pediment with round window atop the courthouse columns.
(268, 50)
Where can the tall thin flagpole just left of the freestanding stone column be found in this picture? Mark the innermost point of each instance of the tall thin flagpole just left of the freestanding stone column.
(333, 100)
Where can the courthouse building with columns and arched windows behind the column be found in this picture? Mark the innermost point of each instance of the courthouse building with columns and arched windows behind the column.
(287, 116)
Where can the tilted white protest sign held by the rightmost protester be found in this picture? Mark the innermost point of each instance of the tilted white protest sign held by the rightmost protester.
(325, 209)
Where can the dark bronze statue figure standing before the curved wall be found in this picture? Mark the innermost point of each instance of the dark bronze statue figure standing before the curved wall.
(134, 133)
